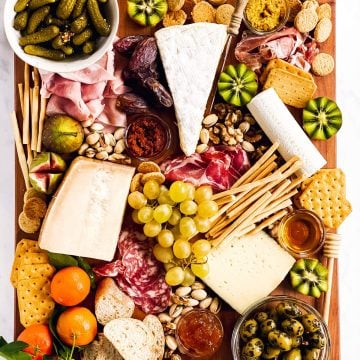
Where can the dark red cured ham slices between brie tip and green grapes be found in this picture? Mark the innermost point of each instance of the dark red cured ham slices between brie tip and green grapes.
(219, 167)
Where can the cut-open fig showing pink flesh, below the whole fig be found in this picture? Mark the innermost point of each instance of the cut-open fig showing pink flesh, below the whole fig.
(46, 172)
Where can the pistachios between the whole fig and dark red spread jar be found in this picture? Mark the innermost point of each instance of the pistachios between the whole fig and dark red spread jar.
(104, 145)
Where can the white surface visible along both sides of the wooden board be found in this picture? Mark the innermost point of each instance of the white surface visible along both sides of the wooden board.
(348, 97)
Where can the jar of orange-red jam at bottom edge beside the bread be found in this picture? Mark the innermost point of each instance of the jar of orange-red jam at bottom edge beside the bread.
(199, 334)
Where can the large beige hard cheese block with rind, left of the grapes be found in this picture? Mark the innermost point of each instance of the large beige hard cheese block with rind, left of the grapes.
(85, 215)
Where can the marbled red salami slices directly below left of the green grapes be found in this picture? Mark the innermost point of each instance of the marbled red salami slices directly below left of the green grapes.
(138, 273)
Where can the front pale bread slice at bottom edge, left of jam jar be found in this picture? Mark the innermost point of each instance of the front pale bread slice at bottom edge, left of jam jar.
(132, 338)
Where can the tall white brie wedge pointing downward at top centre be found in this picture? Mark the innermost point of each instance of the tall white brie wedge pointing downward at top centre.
(190, 55)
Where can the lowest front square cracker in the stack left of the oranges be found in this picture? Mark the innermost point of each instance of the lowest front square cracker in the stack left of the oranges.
(34, 301)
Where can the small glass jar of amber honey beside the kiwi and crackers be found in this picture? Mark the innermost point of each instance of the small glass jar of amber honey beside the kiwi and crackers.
(301, 233)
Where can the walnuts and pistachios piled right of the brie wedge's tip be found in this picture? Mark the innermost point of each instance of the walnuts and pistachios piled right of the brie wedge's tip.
(229, 126)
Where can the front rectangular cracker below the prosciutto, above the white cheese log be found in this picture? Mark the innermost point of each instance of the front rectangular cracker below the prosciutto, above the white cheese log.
(292, 89)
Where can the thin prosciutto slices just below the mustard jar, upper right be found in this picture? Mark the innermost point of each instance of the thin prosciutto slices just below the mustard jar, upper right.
(288, 44)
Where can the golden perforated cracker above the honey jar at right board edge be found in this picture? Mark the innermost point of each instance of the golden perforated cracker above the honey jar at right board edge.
(325, 196)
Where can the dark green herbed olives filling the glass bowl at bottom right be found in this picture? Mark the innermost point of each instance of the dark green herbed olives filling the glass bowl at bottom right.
(283, 333)
